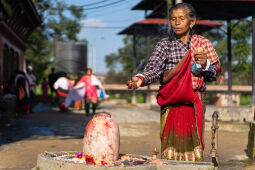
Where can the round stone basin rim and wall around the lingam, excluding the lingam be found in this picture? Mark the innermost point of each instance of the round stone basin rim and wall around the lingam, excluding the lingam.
(61, 161)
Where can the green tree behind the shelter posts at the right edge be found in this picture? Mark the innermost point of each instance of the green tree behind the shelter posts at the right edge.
(241, 49)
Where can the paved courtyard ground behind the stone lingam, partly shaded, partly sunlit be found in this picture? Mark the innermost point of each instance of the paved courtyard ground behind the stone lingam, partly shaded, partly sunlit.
(49, 130)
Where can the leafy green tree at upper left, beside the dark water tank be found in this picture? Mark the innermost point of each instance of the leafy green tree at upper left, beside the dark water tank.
(61, 22)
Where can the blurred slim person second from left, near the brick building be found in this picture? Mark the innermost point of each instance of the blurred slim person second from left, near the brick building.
(32, 85)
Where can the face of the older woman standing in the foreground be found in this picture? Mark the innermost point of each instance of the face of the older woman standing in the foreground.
(180, 22)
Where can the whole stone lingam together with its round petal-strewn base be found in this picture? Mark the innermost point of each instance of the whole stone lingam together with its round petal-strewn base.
(101, 145)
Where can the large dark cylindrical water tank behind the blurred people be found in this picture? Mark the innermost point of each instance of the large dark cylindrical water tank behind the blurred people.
(71, 57)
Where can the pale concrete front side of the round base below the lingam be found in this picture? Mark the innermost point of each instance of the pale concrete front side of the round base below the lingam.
(46, 162)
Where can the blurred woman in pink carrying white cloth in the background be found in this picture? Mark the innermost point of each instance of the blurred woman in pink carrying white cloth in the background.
(91, 86)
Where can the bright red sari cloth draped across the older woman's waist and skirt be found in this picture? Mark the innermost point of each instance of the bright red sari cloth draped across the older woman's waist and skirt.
(179, 90)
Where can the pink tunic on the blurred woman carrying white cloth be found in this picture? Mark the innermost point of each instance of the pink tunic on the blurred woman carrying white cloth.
(90, 90)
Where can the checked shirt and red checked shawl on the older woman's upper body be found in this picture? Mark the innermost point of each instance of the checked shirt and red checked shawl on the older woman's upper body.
(168, 53)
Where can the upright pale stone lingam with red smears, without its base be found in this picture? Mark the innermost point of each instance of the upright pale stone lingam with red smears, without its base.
(102, 138)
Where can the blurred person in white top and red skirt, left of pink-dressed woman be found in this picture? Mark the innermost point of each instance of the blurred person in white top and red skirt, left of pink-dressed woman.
(62, 86)
